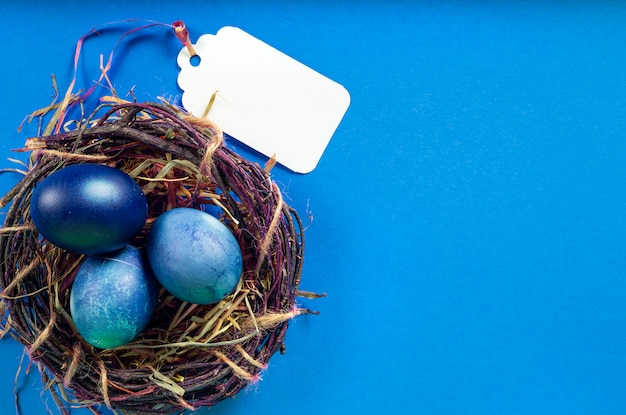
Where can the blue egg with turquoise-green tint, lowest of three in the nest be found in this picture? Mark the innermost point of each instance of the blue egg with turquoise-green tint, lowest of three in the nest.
(113, 297)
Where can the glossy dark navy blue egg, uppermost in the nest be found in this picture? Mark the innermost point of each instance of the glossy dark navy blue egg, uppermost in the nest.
(88, 208)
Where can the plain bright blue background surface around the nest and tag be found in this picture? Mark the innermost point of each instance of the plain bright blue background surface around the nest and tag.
(468, 213)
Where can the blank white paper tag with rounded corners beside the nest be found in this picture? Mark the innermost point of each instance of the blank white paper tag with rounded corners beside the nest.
(265, 99)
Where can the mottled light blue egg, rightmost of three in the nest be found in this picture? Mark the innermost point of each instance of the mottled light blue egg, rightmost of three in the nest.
(194, 256)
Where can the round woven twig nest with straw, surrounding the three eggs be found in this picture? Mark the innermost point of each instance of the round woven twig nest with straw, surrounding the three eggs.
(190, 355)
